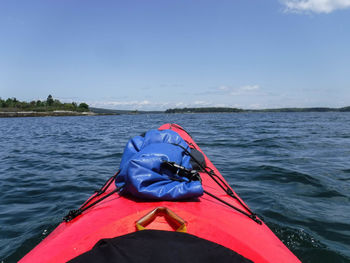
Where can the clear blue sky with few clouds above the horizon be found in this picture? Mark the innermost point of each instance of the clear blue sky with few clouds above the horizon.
(163, 54)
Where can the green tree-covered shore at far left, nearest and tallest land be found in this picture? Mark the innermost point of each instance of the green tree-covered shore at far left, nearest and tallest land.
(50, 104)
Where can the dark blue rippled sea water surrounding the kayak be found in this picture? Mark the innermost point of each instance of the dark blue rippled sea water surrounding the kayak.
(293, 169)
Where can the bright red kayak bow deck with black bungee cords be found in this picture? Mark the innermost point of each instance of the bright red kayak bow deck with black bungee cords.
(218, 216)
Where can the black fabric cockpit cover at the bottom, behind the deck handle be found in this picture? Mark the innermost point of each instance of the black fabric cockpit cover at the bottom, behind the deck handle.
(153, 246)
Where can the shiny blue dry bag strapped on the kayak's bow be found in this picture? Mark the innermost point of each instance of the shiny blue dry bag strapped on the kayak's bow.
(143, 175)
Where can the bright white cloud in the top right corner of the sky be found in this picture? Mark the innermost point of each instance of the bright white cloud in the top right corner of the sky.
(316, 6)
